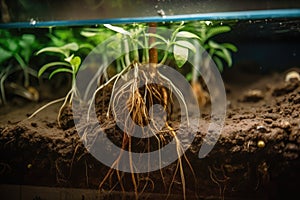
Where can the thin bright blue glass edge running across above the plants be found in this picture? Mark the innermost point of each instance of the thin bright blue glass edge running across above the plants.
(235, 15)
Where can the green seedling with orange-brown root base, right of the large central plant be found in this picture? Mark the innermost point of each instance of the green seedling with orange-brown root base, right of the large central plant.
(220, 53)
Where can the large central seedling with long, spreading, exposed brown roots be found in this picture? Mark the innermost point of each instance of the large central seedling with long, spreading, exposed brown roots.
(145, 67)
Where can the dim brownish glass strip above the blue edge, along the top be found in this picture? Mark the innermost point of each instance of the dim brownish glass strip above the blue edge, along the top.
(32, 11)
